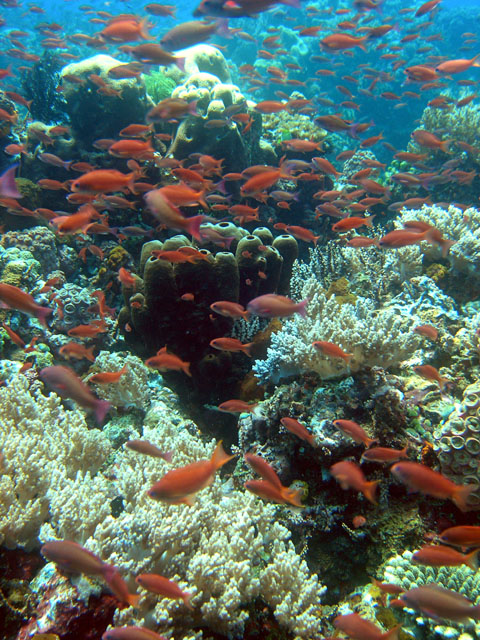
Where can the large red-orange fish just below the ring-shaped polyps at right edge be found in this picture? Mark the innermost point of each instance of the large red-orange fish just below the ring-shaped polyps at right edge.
(418, 477)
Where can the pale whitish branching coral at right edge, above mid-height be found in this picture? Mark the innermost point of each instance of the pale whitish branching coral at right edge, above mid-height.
(463, 227)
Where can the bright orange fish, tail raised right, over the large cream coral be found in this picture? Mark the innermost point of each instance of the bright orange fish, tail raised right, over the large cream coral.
(179, 486)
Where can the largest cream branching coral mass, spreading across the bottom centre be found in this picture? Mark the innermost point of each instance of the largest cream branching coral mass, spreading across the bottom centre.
(227, 550)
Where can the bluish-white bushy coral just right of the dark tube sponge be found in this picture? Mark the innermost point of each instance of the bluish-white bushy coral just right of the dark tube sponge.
(375, 337)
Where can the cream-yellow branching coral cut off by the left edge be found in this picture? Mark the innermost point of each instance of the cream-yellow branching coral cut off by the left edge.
(39, 441)
